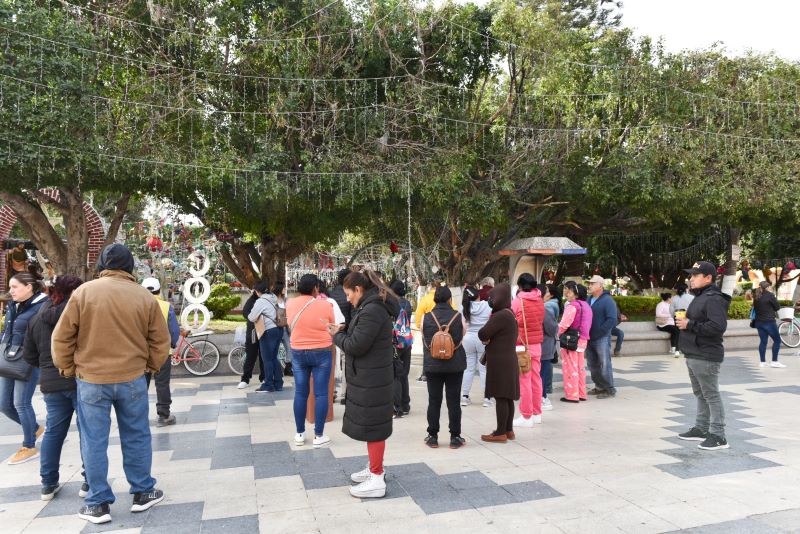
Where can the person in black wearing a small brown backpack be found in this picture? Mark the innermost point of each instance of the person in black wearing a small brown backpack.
(443, 364)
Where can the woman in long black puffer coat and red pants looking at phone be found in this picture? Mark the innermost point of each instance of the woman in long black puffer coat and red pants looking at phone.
(369, 372)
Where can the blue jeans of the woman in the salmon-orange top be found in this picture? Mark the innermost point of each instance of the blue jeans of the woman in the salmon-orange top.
(306, 363)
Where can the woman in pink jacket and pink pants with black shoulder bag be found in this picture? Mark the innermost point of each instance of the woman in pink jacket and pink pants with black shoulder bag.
(578, 315)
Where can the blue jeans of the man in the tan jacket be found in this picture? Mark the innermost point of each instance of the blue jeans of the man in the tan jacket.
(130, 403)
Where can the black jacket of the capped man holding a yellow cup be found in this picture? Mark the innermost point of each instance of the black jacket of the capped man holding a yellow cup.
(708, 320)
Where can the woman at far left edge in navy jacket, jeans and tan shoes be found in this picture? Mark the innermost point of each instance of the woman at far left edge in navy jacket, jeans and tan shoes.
(16, 392)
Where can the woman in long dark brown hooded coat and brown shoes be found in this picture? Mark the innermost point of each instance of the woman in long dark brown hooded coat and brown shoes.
(502, 369)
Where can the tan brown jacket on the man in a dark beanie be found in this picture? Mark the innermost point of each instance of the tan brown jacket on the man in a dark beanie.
(111, 331)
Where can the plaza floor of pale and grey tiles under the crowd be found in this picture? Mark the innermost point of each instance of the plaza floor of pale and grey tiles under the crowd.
(602, 466)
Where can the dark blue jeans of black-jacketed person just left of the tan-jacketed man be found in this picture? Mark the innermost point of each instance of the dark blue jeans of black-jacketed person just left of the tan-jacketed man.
(60, 407)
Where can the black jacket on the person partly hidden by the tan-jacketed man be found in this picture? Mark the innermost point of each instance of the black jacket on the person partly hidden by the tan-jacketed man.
(37, 348)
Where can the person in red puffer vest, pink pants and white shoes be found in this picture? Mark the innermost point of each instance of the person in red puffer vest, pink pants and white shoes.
(528, 307)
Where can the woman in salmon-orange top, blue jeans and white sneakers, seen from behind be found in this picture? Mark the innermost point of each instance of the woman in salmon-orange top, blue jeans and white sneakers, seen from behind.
(309, 317)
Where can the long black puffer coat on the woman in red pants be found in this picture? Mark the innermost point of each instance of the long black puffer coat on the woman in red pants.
(369, 368)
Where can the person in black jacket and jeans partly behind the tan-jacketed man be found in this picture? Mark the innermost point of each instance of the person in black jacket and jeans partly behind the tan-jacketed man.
(60, 394)
